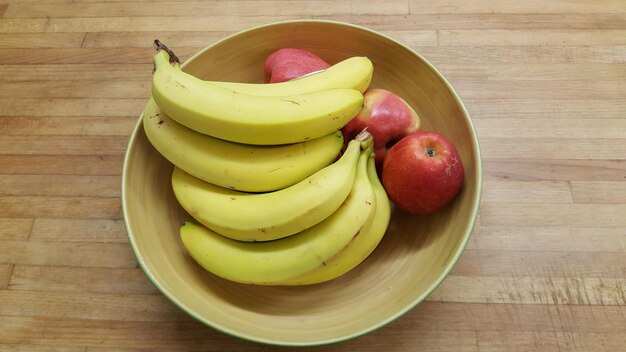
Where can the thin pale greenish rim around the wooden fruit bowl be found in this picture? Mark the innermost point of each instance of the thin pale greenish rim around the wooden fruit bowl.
(416, 301)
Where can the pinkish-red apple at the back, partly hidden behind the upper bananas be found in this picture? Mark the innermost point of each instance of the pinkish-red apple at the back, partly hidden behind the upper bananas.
(288, 63)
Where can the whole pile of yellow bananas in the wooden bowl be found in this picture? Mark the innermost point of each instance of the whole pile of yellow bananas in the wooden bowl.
(260, 169)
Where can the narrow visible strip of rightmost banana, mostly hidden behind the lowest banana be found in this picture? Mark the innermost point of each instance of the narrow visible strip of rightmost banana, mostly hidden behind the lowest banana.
(361, 246)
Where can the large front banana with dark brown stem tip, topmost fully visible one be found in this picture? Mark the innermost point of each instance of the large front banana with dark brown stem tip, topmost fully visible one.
(251, 119)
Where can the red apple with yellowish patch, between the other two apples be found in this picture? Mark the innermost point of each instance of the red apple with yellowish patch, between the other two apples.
(387, 117)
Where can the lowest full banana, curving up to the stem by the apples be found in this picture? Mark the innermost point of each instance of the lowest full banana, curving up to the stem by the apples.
(269, 263)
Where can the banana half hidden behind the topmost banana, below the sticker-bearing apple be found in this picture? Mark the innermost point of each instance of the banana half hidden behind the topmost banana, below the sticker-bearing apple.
(355, 72)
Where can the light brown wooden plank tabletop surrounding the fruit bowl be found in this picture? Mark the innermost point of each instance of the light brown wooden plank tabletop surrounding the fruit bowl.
(545, 83)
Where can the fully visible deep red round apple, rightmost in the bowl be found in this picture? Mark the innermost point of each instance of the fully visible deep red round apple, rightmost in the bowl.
(422, 172)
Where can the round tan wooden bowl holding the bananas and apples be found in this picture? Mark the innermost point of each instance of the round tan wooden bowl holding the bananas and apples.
(414, 257)
